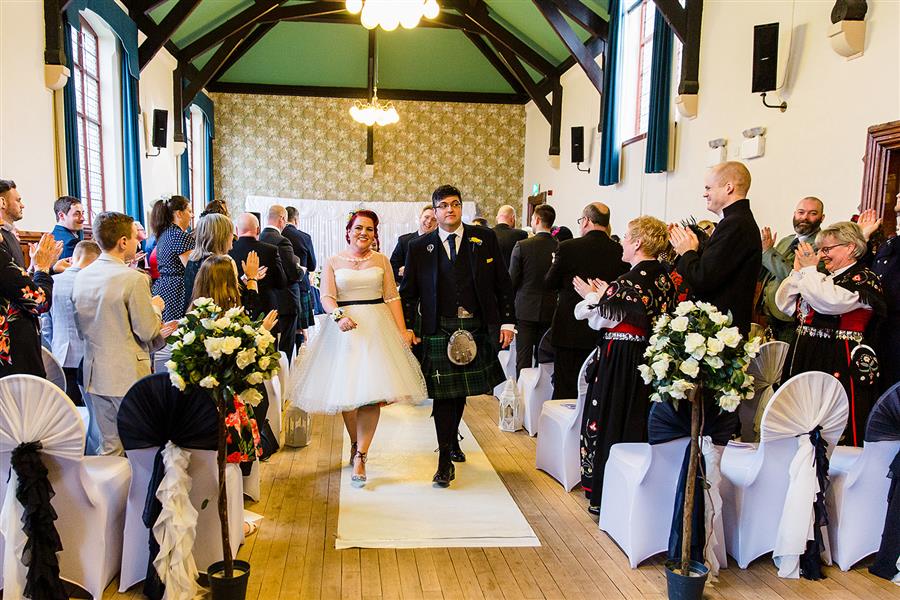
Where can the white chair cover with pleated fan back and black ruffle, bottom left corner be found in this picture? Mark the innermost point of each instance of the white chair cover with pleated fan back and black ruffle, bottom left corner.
(90, 491)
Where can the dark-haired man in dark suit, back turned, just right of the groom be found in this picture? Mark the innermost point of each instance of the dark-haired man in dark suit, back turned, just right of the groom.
(535, 303)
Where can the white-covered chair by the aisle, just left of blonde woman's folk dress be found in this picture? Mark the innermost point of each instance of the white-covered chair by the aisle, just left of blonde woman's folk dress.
(559, 435)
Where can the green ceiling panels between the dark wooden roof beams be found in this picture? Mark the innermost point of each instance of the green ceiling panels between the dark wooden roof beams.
(302, 53)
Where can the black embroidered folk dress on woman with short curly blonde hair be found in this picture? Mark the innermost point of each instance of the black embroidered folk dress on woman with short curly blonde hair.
(618, 401)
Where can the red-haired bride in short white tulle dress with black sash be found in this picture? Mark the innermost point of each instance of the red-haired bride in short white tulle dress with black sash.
(361, 359)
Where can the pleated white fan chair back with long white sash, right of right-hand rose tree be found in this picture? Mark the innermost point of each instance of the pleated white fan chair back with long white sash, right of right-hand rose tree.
(814, 399)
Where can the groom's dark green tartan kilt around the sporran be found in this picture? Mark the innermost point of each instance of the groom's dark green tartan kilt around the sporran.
(446, 380)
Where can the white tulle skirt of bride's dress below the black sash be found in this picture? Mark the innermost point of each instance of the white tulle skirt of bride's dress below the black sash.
(343, 370)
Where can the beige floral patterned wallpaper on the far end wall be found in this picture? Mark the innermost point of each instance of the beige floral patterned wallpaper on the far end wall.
(301, 147)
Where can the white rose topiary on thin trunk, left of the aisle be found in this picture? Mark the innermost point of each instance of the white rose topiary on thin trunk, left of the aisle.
(231, 355)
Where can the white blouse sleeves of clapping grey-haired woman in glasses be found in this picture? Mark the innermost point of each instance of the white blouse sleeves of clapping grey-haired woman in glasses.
(818, 290)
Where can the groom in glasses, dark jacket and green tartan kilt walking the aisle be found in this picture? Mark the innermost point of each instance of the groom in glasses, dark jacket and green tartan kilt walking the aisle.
(455, 276)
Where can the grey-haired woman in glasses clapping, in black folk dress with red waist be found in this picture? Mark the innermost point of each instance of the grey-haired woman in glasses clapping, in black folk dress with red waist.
(835, 313)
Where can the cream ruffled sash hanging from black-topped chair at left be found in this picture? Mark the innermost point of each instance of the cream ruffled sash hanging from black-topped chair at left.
(176, 526)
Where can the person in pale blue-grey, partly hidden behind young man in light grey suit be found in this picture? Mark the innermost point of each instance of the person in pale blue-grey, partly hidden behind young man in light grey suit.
(62, 332)
